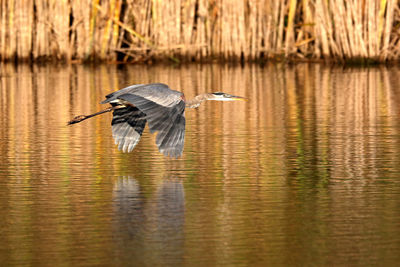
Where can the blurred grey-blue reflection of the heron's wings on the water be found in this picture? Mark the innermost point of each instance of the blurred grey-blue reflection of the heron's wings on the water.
(148, 227)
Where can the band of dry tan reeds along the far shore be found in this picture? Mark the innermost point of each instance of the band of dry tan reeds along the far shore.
(358, 31)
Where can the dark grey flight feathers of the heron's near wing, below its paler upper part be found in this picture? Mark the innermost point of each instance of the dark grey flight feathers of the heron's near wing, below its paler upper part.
(168, 121)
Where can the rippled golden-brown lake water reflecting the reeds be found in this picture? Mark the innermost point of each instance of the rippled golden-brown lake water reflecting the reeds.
(306, 172)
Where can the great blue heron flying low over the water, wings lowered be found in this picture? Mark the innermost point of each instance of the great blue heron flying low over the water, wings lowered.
(162, 108)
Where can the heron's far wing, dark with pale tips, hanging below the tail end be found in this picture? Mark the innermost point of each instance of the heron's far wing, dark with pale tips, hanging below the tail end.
(127, 127)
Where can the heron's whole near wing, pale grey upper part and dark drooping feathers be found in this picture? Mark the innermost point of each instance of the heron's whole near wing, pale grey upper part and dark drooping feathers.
(164, 112)
